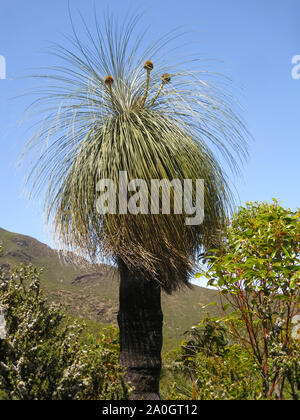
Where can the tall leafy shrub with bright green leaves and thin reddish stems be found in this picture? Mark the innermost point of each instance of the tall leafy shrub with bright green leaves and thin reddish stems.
(257, 270)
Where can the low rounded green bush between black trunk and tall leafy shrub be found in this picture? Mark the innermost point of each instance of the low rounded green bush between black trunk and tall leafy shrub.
(207, 367)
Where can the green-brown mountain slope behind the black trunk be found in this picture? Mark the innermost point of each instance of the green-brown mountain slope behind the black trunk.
(91, 291)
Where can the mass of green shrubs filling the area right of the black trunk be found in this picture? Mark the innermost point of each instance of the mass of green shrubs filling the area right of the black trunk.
(253, 351)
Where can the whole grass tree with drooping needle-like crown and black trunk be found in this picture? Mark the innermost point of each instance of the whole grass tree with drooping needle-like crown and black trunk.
(110, 107)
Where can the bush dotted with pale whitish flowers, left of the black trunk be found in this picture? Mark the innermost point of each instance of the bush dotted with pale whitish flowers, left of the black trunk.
(43, 357)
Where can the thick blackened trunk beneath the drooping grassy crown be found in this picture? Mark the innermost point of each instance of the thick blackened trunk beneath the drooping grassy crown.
(140, 321)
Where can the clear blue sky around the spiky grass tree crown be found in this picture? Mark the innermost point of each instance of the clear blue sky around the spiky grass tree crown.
(255, 39)
